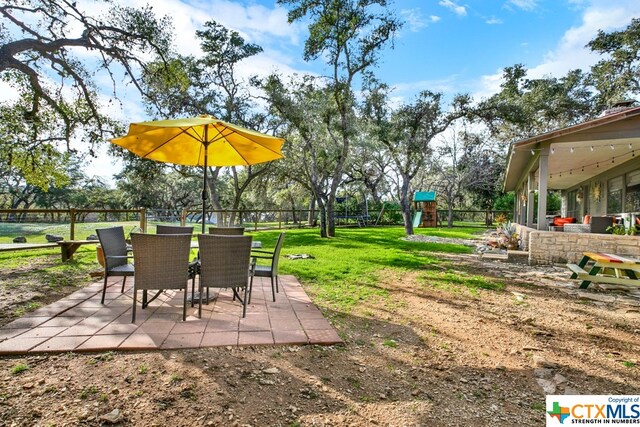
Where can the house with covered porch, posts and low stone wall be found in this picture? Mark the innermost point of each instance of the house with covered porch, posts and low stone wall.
(595, 166)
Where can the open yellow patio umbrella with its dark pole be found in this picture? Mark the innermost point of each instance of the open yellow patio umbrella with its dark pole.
(200, 141)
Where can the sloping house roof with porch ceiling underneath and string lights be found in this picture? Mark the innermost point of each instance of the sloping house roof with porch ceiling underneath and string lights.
(577, 153)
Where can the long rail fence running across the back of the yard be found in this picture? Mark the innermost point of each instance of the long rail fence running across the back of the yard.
(35, 224)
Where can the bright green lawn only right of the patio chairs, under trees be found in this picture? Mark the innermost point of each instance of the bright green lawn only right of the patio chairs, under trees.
(346, 269)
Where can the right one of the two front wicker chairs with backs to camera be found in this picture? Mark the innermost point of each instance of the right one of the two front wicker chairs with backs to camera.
(224, 263)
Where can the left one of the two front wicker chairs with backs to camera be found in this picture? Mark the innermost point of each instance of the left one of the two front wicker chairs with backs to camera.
(162, 262)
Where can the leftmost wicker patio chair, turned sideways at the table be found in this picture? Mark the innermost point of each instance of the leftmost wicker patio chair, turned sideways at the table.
(116, 260)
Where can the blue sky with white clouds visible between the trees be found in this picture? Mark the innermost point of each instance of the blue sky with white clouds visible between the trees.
(451, 46)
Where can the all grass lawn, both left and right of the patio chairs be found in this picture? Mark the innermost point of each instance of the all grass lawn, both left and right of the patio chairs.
(344, 270)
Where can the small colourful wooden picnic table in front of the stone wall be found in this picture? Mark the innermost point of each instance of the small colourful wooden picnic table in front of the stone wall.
(598, 266)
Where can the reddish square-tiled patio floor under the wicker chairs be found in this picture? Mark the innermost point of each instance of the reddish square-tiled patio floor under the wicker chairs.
(80, 323)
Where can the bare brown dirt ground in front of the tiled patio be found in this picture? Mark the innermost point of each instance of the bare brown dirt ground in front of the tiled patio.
(423, 355)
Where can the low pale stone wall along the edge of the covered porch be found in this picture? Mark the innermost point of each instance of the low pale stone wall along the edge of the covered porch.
(548, 247)
